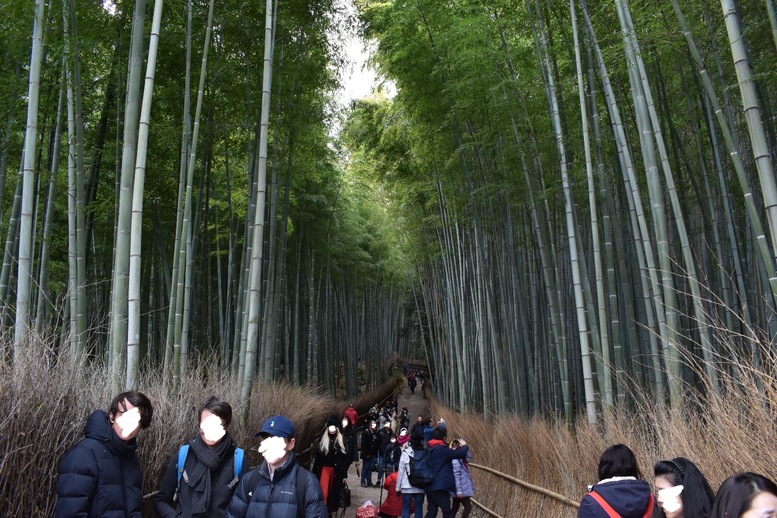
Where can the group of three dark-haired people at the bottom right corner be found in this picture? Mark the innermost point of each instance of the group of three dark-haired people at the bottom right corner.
(682, 491)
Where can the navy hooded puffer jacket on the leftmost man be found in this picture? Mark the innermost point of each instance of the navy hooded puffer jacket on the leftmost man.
(100, 475)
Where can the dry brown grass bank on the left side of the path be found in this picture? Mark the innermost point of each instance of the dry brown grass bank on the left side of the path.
(44, 405)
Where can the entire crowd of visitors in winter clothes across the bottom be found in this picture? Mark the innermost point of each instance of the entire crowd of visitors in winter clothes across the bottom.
(100, 475)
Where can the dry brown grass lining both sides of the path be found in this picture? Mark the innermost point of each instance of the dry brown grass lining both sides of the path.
(44, 406)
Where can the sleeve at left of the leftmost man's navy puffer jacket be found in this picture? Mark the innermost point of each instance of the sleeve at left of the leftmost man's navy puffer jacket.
(76, 483)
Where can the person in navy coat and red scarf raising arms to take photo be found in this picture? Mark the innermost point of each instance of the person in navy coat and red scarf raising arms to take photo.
(441, 462)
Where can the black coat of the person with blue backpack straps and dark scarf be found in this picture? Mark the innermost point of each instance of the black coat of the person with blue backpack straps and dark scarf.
(221, 492)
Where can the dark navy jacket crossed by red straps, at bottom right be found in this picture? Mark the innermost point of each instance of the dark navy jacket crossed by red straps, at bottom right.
(628, 496)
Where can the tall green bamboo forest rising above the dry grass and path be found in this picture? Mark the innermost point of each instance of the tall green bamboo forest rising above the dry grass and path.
(559, 206)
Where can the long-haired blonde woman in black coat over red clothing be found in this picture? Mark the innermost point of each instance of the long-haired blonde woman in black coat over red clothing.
(331, 464)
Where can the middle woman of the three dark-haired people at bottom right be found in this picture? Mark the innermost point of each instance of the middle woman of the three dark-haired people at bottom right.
(683, 491)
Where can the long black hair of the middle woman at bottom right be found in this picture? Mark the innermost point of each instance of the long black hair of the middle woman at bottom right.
(697, 495)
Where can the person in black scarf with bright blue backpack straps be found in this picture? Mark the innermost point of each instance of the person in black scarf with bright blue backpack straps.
(203, 485)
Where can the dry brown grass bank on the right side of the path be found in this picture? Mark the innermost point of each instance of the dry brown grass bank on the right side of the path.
(723, 434)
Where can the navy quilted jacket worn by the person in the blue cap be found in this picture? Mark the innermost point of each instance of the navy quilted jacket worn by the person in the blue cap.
(258, 496)
